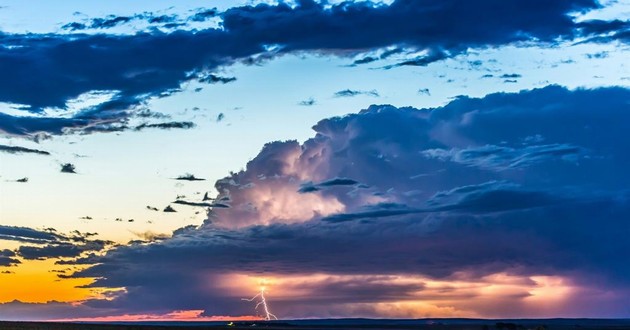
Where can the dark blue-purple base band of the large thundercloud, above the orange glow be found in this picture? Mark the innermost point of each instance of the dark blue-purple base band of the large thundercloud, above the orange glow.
(228, 250)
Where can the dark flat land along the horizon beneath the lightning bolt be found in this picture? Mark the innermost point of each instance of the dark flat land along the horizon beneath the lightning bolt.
(348, 324)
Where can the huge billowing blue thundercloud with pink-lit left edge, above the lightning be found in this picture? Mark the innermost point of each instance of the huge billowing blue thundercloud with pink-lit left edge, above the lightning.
(545, 217)
